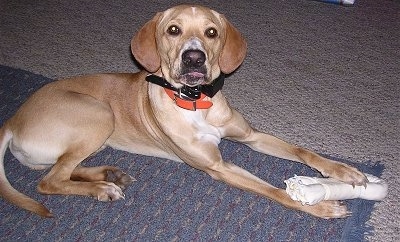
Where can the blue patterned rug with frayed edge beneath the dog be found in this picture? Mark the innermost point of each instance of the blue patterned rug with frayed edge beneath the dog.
(169, 201)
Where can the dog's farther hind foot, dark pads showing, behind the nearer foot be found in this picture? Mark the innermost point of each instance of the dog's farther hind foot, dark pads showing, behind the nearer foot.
(102, 173)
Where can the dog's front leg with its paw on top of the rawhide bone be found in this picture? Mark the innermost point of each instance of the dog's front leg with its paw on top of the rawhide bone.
(238, 129)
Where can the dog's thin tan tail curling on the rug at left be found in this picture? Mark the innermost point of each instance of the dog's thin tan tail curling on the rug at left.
(7, 191)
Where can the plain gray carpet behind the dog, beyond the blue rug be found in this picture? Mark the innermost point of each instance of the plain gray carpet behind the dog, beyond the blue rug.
(320, 75)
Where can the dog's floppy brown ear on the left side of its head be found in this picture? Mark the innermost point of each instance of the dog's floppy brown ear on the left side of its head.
(144, 46)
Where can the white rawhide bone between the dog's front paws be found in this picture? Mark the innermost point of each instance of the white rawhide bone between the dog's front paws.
(312, 190)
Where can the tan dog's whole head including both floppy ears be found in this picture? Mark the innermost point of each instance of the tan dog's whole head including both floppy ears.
(191, 45)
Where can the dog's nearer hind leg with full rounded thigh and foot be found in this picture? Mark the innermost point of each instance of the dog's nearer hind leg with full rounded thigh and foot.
(63, 132)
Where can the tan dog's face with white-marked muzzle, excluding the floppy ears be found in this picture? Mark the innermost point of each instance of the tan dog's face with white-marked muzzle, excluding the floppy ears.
(189, 43)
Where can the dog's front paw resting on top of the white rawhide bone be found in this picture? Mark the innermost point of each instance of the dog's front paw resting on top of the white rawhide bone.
(346, 173)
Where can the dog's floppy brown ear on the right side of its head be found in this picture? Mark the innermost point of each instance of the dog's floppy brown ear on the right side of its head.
(234, 49)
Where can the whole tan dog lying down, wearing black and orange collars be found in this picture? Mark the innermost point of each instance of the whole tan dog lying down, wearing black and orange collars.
(185, 53)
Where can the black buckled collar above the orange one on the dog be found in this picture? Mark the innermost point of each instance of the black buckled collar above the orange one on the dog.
(193, 93)
